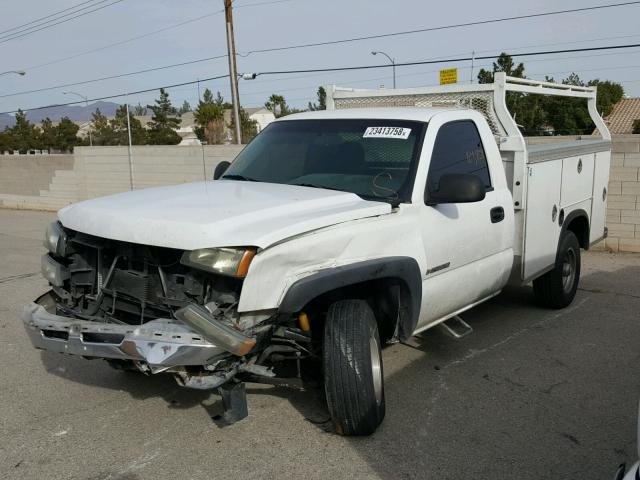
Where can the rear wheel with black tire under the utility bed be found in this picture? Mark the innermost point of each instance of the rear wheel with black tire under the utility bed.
(557, 288)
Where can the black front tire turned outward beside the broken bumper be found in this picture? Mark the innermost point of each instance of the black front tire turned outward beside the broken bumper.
(353, 377)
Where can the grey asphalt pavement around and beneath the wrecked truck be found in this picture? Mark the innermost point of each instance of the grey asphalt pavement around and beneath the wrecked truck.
(531, 394)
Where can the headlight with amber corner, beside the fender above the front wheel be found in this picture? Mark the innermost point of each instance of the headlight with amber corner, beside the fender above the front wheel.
(233, 262)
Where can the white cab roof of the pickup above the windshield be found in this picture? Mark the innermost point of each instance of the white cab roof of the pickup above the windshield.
(419, 114)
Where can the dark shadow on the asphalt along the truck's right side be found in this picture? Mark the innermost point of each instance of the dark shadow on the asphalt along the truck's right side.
(532, 394)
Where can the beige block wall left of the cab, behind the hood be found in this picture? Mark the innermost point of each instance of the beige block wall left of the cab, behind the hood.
(50, 182)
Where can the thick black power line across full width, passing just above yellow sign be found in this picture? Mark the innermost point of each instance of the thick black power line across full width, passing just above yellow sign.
(361, 67)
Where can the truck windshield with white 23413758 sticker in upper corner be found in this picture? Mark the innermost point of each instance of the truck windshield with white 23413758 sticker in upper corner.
(375, 159)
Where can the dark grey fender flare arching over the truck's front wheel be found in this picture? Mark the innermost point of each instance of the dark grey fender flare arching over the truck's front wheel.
(405, 269)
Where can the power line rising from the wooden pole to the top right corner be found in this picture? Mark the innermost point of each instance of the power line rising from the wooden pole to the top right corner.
(443, 27)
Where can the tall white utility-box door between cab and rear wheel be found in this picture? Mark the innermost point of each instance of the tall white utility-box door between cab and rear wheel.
(541, 232)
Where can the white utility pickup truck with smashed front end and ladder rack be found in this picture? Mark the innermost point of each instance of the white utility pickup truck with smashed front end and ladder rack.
(331, 234)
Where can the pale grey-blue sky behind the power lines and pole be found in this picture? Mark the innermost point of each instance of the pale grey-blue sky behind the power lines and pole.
(261, 24)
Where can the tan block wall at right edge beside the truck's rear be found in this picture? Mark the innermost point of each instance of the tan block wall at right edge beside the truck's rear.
(623, 203)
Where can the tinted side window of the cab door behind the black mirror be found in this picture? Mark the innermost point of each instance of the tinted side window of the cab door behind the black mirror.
(458, 149)
